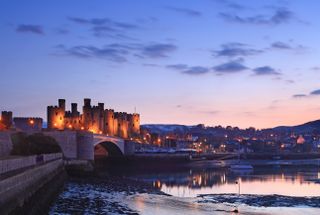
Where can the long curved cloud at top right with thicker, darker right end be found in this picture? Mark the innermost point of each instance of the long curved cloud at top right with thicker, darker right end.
(279, 16)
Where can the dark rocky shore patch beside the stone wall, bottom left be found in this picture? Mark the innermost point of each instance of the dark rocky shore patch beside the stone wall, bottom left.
(99, 194)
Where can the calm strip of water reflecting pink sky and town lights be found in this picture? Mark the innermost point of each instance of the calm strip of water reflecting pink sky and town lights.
(281, 181)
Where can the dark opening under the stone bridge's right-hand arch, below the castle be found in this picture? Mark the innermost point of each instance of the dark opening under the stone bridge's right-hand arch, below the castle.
(107, 149)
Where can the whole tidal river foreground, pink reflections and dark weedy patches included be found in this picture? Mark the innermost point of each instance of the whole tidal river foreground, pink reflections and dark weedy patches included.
(200, 190)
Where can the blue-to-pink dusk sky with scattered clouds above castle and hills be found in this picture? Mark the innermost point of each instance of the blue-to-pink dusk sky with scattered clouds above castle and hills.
(217, 62)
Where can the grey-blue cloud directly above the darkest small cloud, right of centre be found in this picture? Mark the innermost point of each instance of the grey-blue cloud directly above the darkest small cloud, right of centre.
(236, 50)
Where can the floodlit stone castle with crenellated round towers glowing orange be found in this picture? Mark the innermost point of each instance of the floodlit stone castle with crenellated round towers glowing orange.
(93, 118)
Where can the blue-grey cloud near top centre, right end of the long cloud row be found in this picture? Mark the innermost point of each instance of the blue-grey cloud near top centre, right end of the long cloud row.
(159, 50)
